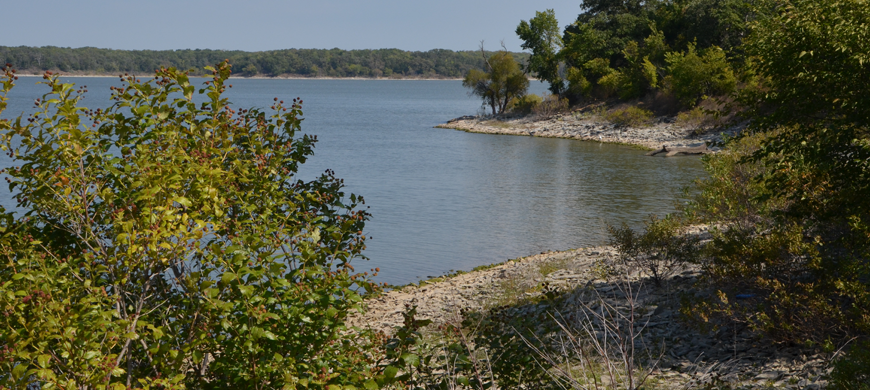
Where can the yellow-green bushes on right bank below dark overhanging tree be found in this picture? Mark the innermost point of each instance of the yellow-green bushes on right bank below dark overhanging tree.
(807, 282)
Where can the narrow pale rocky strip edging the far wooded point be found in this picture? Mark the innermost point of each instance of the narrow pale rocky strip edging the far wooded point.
(663, 132)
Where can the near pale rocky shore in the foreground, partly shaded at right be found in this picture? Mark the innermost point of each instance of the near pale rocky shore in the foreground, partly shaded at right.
(733, 356)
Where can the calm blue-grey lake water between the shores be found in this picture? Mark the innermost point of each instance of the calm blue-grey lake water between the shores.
(442, 199)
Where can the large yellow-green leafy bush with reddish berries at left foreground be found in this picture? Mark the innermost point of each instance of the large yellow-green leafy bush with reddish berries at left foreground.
(167, 242)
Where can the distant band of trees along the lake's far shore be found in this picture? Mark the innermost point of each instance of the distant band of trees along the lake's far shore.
(397, 63)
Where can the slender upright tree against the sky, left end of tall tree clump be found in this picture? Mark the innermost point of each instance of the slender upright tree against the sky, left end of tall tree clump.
(541, 35)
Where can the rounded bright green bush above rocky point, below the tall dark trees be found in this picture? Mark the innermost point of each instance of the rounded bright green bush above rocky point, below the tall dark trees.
(693, 75)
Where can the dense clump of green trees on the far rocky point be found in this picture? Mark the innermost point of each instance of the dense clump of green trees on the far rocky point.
(619, 47)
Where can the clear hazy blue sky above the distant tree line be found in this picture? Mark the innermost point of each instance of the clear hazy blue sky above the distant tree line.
(256, 25)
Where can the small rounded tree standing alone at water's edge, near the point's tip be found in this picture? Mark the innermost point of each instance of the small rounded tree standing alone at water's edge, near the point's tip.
(504, 81)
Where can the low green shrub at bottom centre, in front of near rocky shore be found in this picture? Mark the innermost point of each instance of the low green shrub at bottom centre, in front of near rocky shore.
(474, 350)
